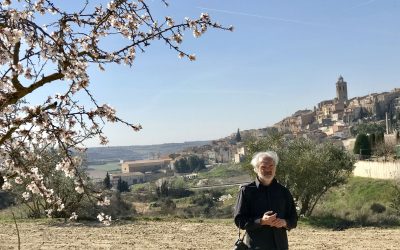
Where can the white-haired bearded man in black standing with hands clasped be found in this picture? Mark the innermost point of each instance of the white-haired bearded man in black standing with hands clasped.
(265, 208)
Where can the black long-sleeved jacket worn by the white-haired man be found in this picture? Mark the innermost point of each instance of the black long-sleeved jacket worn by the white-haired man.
(253, 201)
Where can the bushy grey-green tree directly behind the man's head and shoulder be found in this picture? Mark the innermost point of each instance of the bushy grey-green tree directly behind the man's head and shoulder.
(307, 168)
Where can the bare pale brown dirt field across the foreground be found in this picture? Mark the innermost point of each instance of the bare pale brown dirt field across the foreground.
(180, 235)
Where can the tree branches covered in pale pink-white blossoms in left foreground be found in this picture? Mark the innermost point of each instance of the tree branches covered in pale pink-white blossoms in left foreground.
(42, 44)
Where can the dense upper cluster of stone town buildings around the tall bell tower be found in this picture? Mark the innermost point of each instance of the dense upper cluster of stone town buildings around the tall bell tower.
(334, 117)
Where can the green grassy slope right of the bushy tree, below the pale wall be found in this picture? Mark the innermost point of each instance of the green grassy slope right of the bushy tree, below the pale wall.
(352, 205)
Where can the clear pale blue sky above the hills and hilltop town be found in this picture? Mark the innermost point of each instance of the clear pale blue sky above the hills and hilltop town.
(283, 56)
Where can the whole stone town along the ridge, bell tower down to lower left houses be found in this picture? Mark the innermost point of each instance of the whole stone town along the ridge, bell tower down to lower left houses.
(329, 120)
